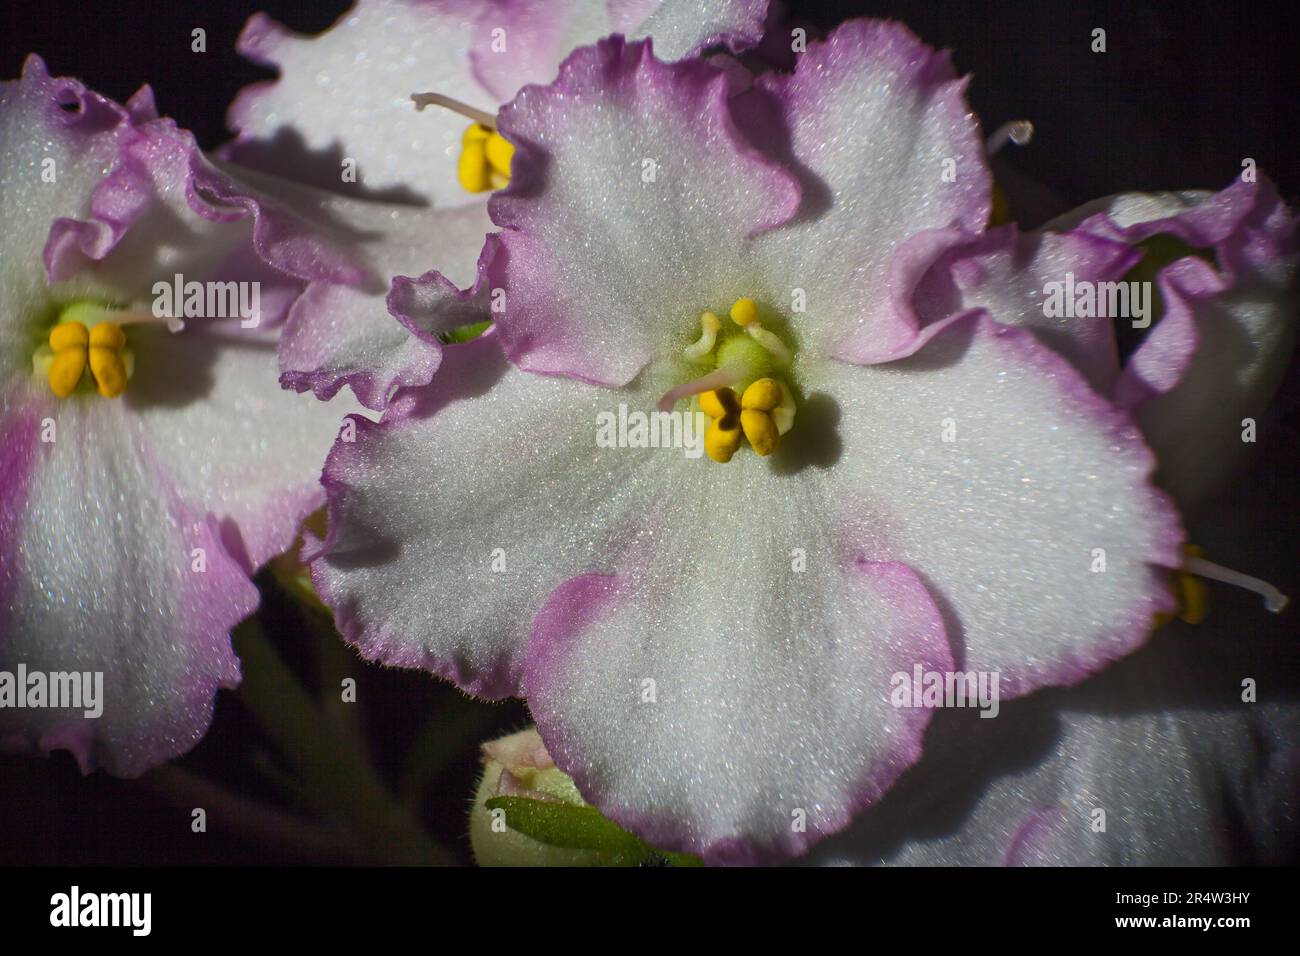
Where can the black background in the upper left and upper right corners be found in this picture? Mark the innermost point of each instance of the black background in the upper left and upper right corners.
(1186, 90)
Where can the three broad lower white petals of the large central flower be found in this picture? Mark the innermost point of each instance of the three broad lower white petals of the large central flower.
(721, 544)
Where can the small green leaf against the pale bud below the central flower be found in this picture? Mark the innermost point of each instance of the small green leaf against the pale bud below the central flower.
(583, 828)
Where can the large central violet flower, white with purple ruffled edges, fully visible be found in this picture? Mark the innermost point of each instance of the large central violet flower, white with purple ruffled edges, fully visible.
(708, 648)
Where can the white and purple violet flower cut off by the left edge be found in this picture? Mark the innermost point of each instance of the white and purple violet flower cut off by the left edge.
(146, 473)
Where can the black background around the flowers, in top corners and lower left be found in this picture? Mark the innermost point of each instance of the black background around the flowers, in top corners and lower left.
(1185, 92)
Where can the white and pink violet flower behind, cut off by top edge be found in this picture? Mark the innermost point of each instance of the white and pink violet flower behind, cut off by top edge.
(341, 118)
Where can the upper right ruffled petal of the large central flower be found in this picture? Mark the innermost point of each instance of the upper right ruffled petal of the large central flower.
(878, 128)
